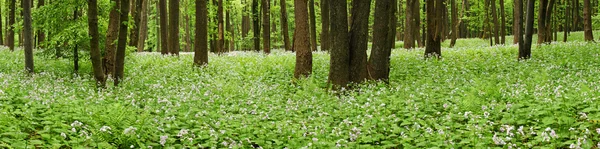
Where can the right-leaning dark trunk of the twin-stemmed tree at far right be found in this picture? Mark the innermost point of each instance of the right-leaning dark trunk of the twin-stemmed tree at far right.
(525, 49)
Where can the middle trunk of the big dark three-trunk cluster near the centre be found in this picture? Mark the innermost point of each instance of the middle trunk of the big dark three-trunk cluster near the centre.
(359, 38)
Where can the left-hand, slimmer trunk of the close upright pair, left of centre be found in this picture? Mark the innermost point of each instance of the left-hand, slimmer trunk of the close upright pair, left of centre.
(164, 27)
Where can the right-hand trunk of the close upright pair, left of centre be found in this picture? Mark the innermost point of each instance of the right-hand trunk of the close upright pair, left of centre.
(174, 29)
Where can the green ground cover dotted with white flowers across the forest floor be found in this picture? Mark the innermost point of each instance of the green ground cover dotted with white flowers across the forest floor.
(475, 97)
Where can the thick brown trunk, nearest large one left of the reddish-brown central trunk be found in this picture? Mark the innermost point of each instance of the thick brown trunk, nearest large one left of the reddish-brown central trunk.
(201, 41)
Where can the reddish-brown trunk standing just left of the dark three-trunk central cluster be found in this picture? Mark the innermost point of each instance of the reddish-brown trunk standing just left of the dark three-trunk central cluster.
(301, 40)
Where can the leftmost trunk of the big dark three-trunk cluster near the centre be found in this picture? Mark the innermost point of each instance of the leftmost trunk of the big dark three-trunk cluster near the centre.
(340, 51)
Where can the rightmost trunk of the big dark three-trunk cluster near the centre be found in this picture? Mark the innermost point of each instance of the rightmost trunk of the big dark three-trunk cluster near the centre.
(379, 62)
